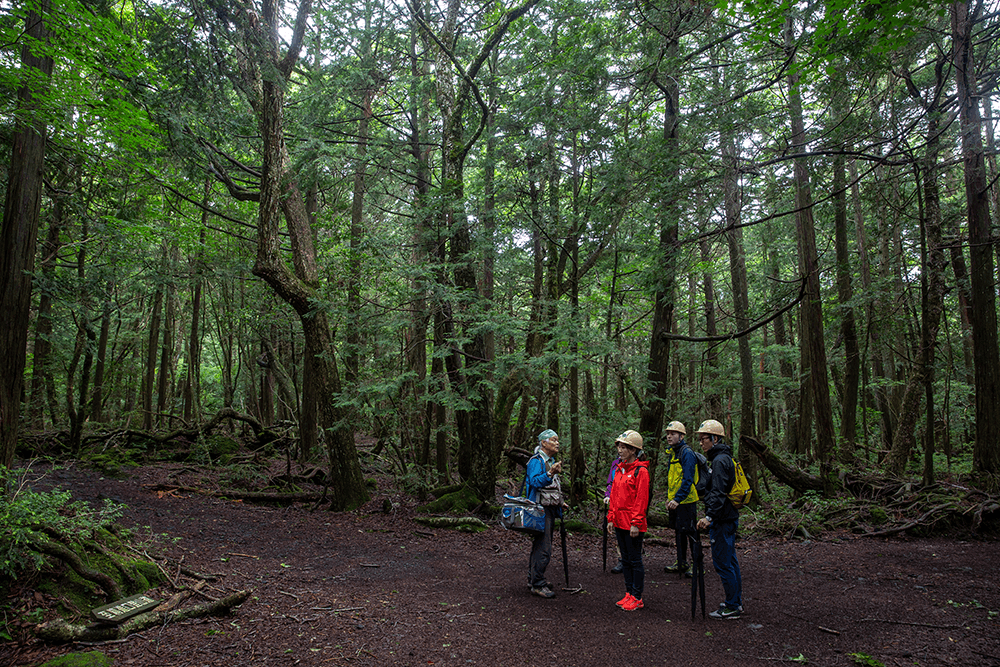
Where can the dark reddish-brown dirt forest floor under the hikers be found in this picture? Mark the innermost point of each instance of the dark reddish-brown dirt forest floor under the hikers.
(373, 588)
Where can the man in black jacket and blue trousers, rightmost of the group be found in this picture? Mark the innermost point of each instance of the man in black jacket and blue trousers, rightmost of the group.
(722, 518)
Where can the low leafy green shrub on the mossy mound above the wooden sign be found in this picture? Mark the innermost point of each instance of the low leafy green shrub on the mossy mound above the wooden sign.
(27, 512)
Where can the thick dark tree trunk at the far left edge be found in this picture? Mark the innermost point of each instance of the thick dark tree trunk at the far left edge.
(19, 233)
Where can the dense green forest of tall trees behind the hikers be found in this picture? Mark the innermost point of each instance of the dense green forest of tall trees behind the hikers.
(449, 226)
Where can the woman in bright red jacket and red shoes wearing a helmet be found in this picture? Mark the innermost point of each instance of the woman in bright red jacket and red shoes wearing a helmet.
(627, 514)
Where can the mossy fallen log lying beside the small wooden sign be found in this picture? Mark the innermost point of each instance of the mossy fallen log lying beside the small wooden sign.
(60, 630)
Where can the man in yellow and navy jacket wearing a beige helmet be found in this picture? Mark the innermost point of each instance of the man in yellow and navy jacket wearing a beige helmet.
(682, 508)
